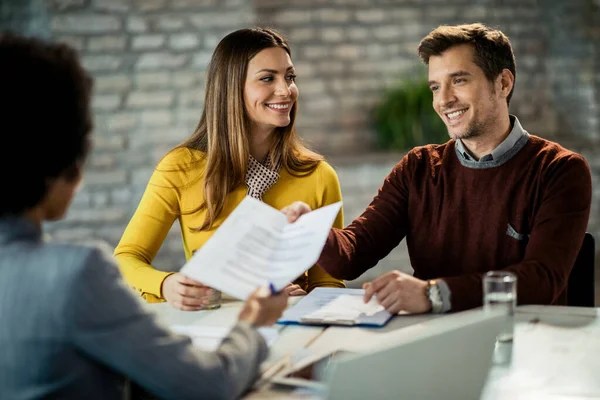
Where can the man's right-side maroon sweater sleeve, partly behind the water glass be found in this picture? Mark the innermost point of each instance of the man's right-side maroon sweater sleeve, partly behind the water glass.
(555, 239)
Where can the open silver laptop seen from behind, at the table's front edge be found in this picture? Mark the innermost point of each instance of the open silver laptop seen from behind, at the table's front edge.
(445, 358)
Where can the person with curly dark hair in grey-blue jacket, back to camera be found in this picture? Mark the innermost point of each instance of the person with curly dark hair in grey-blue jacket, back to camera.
(69, 326)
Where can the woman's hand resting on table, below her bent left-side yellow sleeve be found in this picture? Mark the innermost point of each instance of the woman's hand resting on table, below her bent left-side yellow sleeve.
(185, 293)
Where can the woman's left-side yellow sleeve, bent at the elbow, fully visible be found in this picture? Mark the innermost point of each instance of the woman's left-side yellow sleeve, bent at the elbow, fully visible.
(146, 231)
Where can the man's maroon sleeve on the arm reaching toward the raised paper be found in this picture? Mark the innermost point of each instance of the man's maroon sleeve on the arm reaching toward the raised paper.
(350, 252)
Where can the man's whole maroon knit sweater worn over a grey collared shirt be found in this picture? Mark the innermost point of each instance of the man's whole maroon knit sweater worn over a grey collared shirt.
(457, 221)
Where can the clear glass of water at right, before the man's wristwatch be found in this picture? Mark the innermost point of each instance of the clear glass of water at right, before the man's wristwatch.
(500, 293)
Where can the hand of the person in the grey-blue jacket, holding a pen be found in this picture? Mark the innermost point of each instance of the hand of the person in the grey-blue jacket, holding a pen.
(262, 308)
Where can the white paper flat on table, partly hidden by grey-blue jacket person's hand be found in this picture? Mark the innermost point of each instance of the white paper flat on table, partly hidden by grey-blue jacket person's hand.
(210, 337)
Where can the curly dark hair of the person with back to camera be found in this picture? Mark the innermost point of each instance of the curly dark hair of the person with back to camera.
(46, 120)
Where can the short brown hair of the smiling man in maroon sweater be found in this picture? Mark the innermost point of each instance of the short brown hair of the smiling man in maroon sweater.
(492, 51)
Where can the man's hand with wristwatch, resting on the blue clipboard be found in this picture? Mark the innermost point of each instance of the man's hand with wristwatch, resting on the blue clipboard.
(397, 291)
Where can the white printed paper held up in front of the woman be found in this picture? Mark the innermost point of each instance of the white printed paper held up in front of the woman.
(256, 246)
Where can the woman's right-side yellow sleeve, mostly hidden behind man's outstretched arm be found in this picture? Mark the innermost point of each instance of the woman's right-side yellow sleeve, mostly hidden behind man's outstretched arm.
(331, 193)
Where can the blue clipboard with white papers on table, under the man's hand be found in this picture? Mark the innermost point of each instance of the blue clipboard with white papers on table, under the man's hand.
(332, 306)
